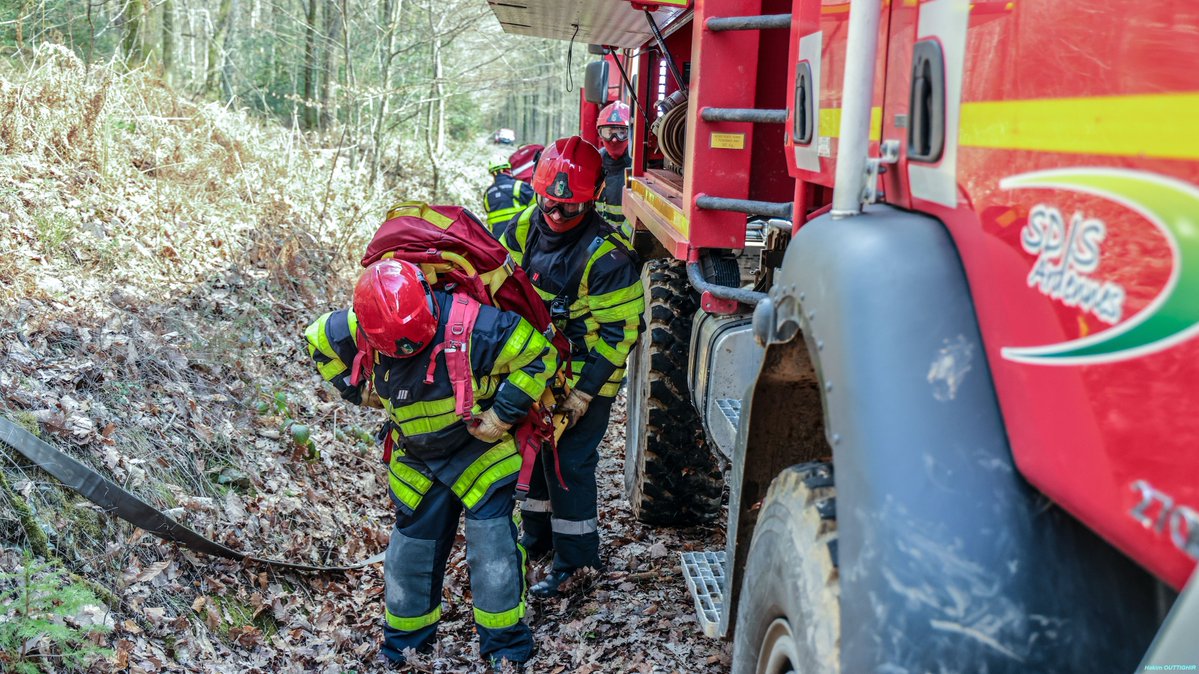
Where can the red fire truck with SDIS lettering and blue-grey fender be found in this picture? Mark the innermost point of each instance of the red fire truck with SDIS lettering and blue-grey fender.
(955, 408)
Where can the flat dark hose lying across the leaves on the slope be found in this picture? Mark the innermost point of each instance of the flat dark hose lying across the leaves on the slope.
(116, 501)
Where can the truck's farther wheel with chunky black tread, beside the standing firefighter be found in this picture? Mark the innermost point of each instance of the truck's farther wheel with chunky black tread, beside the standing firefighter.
(671, 476)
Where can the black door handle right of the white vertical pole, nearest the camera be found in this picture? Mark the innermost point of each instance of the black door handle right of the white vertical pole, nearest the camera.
(926, 130)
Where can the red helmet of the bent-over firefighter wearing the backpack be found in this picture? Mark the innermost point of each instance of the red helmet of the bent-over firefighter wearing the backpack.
(395, 308)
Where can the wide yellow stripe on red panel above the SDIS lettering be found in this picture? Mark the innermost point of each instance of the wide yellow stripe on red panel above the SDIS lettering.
(1135, 127)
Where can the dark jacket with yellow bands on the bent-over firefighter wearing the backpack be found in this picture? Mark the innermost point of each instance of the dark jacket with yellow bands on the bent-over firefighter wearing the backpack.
(511, 364)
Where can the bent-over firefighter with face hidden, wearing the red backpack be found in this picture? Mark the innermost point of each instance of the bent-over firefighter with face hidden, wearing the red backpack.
(439, 465)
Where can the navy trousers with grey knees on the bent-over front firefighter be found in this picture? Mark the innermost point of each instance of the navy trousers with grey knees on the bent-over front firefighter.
(414, 571)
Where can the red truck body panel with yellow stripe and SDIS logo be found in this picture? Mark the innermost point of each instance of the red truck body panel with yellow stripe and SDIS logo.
(1075, 176)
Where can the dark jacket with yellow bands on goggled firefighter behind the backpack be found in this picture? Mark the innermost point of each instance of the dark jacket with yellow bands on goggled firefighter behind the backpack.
(593, 279)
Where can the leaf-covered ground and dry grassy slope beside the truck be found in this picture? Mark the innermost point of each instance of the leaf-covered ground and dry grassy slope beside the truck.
(158, 263)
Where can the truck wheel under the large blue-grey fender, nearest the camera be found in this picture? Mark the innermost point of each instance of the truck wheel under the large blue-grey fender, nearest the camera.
(790, 612)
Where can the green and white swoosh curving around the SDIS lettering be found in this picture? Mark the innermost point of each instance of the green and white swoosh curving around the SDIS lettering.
(1173, 317)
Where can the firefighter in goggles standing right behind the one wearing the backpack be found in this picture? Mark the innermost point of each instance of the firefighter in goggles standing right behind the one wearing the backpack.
(592, 284)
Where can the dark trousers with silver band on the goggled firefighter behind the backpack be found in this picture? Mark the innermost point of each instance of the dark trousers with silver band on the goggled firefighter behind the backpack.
(568, 520)
